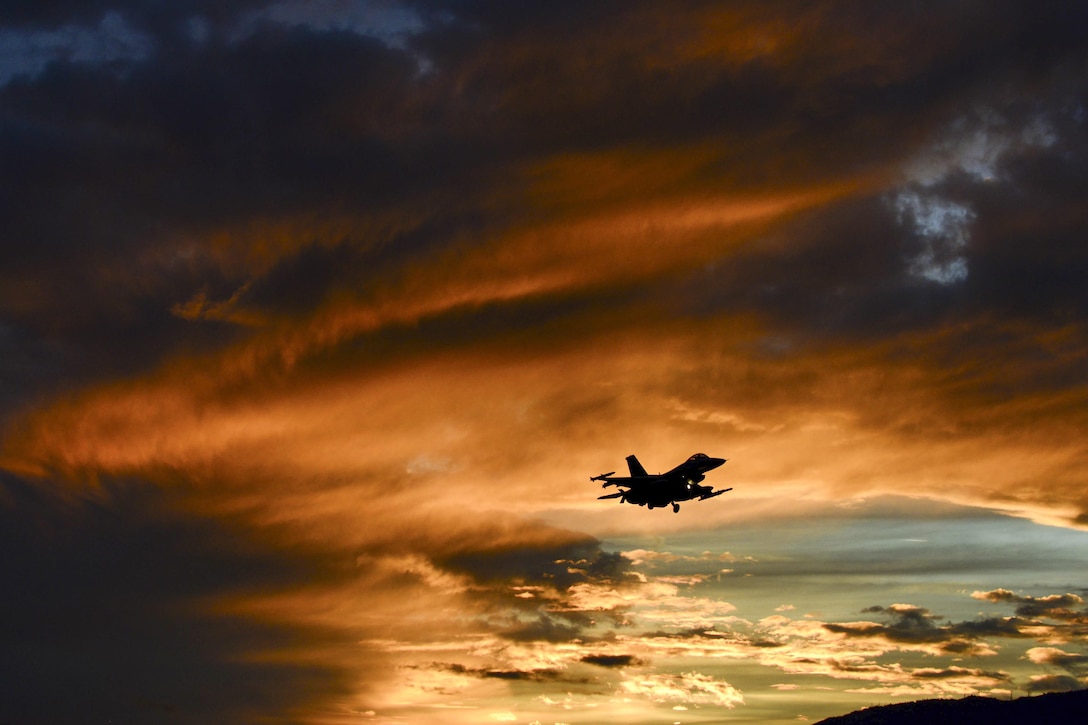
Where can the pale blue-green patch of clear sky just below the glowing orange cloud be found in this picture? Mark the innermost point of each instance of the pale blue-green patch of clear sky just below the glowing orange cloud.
(839, 563)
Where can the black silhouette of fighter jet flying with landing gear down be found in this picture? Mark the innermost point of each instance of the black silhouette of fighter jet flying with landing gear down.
(682, 484)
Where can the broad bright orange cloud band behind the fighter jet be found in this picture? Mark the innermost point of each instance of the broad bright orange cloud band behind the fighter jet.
(488, 424)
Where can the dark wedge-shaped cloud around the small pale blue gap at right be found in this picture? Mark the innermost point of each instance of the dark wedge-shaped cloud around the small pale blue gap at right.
(848, 271)
